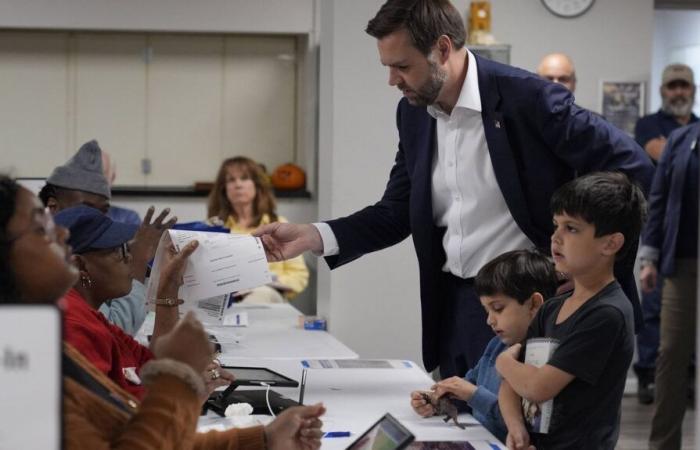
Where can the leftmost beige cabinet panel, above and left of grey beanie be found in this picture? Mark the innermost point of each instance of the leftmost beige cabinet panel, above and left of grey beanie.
(33, 102)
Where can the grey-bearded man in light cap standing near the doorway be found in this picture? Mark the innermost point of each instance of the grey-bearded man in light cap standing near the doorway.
(678, 97)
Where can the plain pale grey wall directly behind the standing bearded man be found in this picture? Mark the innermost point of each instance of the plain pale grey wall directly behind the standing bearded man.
(373, 303)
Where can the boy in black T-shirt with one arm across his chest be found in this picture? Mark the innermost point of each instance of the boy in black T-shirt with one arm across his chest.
(590, 330)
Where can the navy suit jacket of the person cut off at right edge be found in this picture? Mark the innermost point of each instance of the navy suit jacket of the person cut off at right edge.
(665, 200)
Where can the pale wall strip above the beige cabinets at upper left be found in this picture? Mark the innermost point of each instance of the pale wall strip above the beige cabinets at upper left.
(225, 16)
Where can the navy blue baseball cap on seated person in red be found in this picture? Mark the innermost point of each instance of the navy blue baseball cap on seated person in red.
(90, 229)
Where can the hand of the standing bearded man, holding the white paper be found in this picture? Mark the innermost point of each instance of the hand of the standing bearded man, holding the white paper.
(287, 240)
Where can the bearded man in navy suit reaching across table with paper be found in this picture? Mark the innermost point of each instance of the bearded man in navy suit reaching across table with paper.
(482, 148)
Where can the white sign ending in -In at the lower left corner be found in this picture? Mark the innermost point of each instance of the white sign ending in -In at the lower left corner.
(30, 376)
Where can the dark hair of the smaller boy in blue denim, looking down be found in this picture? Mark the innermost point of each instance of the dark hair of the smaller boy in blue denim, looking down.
(518, 274)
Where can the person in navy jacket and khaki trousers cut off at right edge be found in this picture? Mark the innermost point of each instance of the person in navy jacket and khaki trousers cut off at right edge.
(670, 247)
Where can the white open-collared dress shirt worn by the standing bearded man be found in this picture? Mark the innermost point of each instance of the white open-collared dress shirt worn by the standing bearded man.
(465, 194)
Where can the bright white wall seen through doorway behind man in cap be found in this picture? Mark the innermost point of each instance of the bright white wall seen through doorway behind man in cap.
(676, 34)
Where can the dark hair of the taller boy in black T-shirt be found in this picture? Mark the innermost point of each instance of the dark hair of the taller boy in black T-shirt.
(607, 200)
